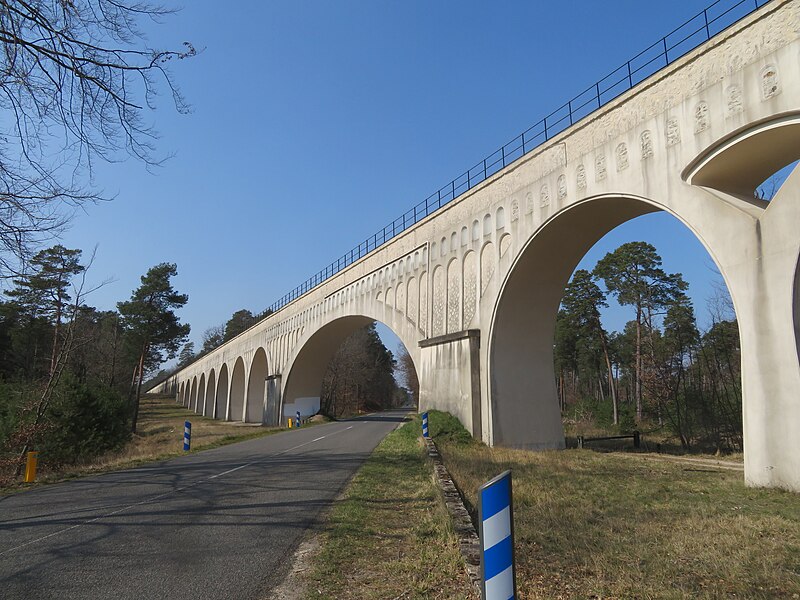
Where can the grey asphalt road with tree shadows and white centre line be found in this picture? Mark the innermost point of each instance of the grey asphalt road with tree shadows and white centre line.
(217, 524)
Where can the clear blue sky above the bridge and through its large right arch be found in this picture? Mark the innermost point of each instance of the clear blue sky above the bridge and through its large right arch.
(315, 123)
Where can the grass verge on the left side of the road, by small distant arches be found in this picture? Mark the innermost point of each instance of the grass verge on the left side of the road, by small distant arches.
(159, 437)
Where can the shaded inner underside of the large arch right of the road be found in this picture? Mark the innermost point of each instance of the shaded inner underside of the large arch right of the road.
(524, 410)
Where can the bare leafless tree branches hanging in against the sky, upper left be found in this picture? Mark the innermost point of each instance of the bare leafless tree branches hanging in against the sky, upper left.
(76, 79)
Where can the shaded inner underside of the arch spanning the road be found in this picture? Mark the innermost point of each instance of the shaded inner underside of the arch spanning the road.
(309, 364)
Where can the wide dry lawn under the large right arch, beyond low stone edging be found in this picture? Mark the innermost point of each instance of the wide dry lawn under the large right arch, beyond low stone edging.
(613, 525)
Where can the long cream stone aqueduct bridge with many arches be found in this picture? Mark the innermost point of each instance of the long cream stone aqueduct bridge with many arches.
(473, 290)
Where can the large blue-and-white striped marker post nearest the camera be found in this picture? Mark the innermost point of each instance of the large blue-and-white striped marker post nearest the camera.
(498, 579)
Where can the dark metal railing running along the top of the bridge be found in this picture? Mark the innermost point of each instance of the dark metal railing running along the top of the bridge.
(702, 27)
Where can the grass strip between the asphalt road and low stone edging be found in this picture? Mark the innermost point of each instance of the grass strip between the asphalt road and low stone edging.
(390, 535)
